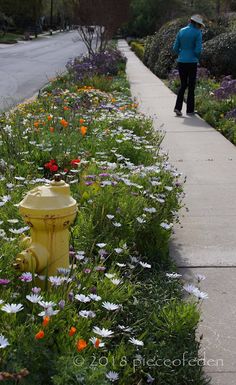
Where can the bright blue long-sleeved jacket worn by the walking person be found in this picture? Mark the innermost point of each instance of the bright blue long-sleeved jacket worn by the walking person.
(188, 44)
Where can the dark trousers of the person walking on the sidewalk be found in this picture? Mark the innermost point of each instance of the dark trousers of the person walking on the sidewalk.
(187, 74)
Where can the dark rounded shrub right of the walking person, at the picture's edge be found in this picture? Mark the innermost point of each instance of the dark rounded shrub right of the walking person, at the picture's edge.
(219, 54)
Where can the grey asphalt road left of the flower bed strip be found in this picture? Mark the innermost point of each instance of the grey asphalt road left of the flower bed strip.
(27, 66)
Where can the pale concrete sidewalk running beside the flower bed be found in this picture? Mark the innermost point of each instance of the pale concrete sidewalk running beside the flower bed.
(205, 242)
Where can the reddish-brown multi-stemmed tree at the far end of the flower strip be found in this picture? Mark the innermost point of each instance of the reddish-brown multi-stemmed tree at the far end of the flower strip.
(99, 20)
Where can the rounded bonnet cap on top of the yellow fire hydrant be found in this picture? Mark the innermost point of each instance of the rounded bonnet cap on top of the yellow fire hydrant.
(52, 198)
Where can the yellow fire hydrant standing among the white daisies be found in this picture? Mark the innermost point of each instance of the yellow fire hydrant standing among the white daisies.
(49, 210)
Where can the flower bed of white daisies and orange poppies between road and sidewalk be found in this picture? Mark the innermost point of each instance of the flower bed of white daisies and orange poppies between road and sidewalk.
(120, 303)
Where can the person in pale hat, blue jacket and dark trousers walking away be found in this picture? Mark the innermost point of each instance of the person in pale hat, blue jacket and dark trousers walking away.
(188, 47)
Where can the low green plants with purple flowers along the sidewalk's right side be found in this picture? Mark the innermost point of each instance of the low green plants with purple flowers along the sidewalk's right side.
(215, 101)
